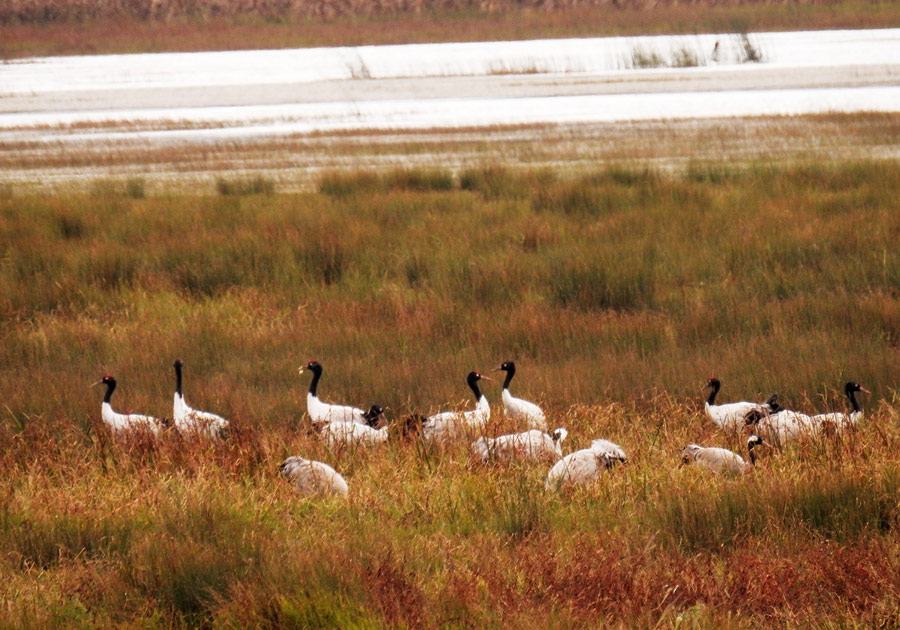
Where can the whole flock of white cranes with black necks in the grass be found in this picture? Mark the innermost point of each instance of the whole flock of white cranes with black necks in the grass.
(343, 425)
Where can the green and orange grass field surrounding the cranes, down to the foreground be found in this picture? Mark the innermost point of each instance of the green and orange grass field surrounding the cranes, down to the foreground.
(617, 291)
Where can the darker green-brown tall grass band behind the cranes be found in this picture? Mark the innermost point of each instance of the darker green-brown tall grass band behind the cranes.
(611, 285)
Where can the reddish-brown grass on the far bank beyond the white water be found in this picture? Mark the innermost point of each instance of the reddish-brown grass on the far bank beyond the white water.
(48, 27)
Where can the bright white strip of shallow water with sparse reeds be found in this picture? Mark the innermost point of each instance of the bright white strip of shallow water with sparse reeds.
(195, 97)
